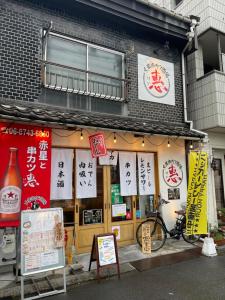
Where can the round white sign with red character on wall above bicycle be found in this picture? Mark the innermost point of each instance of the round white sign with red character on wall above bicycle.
(172, 172)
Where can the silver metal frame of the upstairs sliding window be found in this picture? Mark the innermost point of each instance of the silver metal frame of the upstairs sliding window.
(87, 71)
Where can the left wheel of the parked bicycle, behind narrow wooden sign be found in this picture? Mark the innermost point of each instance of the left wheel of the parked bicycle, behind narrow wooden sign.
(158, 234)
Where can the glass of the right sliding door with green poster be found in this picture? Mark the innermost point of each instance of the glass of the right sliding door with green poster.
(121, 206)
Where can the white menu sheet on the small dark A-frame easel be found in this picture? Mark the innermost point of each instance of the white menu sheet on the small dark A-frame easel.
(106, 250)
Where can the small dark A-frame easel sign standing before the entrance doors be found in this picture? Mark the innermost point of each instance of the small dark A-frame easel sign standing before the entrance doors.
(104, 252)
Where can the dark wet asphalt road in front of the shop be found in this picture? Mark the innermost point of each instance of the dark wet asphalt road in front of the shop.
(201, 278)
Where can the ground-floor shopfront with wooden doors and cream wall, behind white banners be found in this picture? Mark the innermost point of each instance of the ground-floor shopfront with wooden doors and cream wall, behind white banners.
(124, 213)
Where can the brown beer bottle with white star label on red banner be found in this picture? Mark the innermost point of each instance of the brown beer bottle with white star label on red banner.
(10, 189)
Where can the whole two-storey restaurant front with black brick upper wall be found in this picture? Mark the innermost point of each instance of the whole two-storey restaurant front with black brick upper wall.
(118, 73)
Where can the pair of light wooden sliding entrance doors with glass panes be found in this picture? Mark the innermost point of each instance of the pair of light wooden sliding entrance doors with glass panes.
(106, 213)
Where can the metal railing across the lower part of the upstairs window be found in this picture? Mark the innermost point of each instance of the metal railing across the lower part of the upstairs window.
(74, 80)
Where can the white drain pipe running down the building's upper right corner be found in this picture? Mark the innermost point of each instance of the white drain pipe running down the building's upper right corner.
(190, 37)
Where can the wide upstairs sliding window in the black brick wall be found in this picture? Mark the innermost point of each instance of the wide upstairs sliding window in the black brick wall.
(84, 68)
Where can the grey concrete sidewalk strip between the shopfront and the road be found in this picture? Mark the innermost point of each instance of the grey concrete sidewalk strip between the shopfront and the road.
(10, 288)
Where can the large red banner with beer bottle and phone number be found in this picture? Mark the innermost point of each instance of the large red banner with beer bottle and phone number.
(24, 170)
